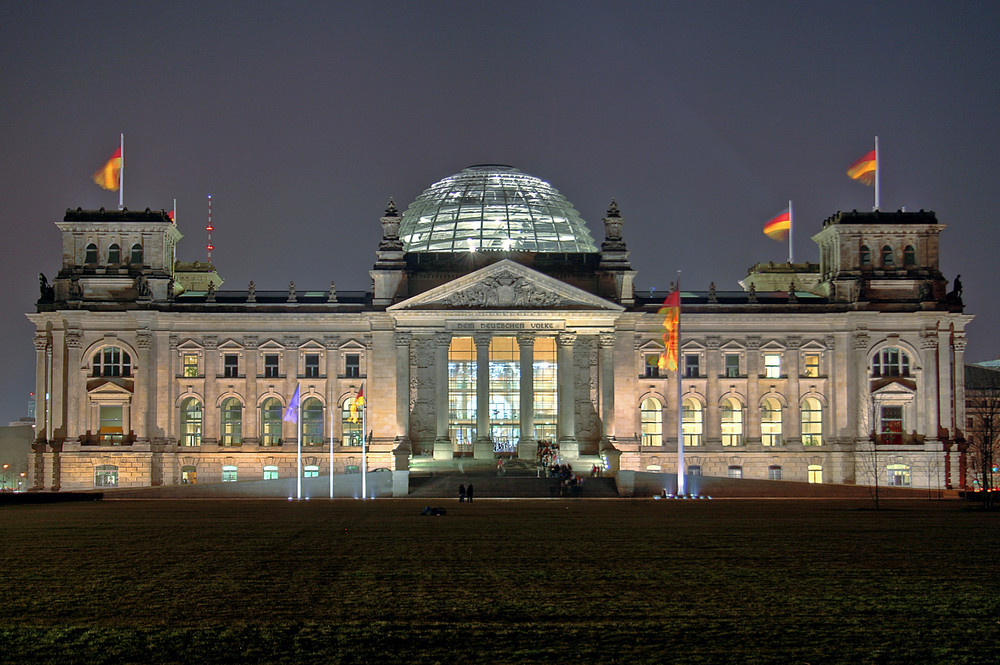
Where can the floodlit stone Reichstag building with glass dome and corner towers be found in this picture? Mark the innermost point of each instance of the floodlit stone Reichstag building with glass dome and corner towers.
(497, 326)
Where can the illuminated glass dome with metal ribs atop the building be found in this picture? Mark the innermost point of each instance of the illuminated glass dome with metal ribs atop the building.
(492, 207)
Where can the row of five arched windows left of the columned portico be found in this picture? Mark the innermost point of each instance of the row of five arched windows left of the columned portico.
(270, 419)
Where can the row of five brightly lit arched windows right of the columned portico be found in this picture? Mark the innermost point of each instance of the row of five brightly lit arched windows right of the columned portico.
(732, 422)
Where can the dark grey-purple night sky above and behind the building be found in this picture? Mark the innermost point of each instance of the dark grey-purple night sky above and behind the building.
(302, 119)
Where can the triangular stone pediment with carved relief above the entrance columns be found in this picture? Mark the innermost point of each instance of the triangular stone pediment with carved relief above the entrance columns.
(509, 286)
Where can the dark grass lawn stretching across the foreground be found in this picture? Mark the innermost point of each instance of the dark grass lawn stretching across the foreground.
(617, 581)
